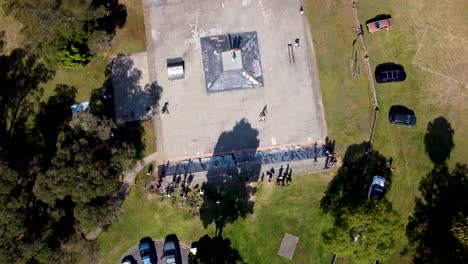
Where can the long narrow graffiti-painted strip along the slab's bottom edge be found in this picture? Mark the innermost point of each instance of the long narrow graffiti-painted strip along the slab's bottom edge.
(285, 154)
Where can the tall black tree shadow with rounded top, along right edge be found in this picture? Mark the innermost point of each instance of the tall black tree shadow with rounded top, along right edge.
(443, 197)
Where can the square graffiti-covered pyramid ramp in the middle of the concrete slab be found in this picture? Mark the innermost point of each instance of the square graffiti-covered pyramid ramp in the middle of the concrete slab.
(228, 65)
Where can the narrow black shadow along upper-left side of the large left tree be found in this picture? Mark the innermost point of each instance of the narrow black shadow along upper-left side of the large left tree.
(52, 118)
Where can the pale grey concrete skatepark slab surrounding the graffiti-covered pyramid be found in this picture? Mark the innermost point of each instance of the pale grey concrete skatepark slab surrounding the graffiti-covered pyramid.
(196, 118)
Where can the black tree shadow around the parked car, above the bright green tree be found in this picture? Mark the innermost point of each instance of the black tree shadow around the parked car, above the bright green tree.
(349, 188)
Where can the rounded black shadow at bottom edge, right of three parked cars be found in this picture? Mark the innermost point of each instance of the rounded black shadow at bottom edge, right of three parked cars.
(214, 250)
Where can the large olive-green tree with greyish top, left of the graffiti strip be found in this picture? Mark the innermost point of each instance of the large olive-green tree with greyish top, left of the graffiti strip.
(88, 163)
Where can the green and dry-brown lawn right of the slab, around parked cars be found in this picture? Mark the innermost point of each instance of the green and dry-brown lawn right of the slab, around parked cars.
(412, 43)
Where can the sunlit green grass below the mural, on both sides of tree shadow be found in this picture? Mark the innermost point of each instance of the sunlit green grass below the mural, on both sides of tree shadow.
(293, 209)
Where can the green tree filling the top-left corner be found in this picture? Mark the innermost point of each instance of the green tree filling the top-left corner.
(58, 30)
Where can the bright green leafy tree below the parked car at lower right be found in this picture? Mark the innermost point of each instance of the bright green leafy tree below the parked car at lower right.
(368, 233)
